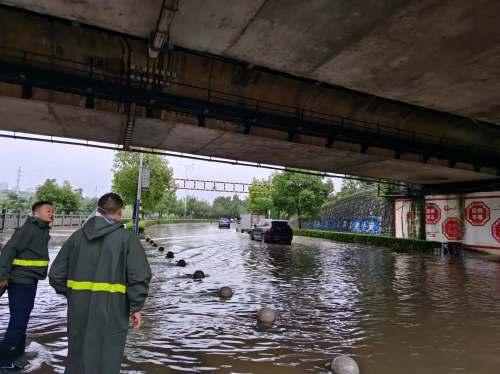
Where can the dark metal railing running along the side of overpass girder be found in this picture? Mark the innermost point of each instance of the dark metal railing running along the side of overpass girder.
(154, 82)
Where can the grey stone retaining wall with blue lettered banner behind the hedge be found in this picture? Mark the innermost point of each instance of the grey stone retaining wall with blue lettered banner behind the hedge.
(362, 213)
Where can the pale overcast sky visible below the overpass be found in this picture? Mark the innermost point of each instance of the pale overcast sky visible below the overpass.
(90, 167)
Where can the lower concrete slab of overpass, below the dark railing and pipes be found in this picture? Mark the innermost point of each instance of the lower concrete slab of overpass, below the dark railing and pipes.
(216, 139)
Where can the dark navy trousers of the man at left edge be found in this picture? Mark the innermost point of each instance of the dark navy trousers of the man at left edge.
(21, 302)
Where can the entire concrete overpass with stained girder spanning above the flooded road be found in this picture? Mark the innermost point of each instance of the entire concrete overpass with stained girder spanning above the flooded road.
(260, 81)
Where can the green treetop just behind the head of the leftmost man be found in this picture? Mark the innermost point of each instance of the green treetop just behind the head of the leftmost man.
(64, 197)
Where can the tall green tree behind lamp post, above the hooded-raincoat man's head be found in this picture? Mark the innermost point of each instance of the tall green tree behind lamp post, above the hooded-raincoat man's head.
(126, 173)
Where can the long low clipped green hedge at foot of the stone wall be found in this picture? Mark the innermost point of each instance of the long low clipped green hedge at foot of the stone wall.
(374, 240)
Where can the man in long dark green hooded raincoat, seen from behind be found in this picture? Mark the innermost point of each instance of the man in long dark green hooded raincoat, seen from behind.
(103, 271)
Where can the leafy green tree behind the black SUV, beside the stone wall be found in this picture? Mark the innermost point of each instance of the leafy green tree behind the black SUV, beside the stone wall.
(300, 193)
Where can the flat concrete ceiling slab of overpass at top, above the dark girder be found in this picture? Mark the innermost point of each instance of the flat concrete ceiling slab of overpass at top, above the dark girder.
(435, 54)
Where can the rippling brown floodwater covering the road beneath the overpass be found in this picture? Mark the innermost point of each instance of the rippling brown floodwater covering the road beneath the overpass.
(392, 312)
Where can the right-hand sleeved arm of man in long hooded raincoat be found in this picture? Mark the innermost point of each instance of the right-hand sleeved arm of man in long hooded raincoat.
(138, 274)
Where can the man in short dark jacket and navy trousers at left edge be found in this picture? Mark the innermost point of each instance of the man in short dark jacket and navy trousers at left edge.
(23, 263)
